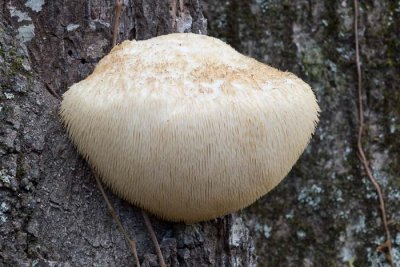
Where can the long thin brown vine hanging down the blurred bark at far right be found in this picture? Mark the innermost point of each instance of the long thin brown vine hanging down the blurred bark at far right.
(361, 153)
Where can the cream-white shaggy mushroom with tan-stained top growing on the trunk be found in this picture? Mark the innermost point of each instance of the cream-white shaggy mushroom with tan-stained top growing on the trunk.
(186, 127)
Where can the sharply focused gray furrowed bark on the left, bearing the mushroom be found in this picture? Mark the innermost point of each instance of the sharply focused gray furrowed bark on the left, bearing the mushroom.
(51, 212)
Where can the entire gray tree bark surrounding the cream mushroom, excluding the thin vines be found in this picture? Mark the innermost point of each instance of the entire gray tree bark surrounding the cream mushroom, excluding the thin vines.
(325, 213)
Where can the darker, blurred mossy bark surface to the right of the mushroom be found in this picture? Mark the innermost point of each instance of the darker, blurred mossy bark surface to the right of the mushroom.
(326, 213)
